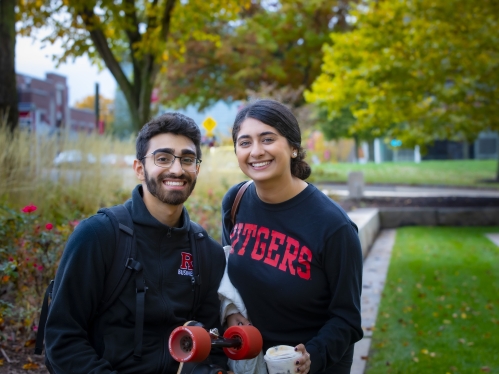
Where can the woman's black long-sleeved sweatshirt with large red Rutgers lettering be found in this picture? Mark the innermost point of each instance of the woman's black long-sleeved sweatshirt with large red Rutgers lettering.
(298, 268)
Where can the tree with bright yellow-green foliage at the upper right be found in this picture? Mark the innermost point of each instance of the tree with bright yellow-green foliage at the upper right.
(415, 70)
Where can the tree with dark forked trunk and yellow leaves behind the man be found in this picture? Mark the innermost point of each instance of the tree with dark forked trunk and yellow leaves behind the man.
(141, 33)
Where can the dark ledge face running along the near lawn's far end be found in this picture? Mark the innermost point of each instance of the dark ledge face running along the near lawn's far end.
(396, 217)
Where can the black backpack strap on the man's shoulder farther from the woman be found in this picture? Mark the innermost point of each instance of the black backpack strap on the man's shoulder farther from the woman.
(121, 270)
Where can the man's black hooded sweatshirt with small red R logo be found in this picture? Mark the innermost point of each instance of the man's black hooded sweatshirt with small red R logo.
(76, 342)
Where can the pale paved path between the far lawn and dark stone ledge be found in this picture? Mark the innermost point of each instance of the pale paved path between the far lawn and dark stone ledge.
(408, 191)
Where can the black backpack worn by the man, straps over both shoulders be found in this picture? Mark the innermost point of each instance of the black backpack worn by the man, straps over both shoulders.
(124, 265)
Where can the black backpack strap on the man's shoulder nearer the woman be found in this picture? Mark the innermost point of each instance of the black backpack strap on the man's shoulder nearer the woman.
(198, 242)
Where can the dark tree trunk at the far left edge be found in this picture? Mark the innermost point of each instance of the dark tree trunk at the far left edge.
(8, 87)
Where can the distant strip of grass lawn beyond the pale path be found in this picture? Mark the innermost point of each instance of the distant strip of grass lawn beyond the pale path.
(448, 172)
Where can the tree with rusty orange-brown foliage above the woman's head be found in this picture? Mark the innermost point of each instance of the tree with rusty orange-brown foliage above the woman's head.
(274, 44)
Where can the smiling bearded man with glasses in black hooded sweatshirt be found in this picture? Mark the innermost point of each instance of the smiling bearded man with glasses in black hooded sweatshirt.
(78, 340)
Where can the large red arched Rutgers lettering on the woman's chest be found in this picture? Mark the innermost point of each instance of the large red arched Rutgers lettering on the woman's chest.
(273, 248)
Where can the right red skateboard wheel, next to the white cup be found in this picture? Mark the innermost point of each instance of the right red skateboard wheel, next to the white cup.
(251, 342)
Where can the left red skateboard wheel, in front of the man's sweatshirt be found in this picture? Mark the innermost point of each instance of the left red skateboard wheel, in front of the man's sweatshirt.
(189, 343)
